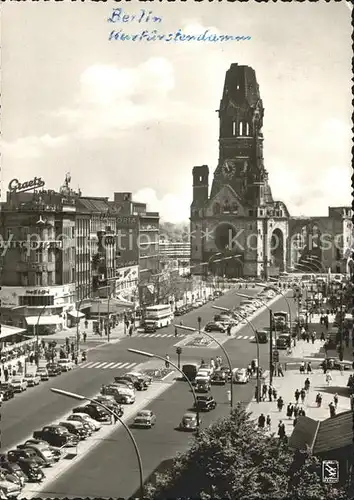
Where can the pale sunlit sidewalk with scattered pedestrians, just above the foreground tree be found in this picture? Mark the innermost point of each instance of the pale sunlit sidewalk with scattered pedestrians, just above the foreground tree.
(293, 380)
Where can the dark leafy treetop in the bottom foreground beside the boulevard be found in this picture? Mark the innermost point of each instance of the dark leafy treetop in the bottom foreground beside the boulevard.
(233, 460)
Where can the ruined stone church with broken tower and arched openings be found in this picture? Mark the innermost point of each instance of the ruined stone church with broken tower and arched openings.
(237, 229)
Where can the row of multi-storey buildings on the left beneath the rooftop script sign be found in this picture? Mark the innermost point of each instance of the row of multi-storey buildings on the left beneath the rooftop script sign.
(60, 250)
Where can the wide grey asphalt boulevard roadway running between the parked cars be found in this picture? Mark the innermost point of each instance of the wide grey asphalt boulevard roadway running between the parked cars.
(110, 470)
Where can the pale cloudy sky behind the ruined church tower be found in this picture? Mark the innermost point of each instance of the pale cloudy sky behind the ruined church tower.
(137, 116)
